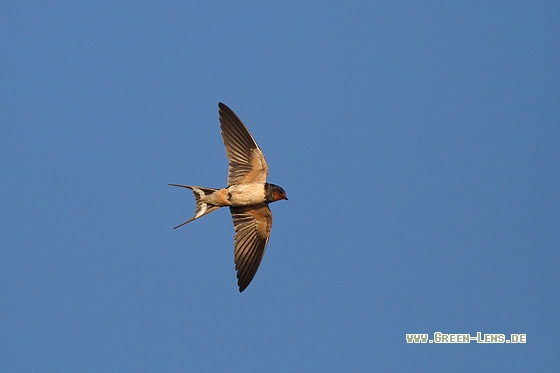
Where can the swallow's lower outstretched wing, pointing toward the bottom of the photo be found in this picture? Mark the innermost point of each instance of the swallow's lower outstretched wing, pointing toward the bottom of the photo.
(252, 230)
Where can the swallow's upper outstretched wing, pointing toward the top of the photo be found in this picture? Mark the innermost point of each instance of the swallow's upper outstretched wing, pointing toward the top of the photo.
(246, 160)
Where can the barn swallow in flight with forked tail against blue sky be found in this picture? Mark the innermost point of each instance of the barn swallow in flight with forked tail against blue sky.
(247, 195)
